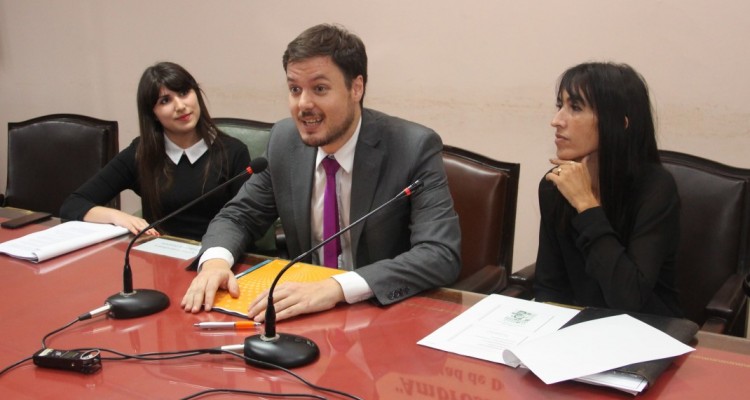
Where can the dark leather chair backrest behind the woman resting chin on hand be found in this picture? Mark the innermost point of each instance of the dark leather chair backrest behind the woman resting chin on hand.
(714, 223)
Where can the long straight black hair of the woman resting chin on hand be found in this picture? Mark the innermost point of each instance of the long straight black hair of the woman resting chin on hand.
(620, 99)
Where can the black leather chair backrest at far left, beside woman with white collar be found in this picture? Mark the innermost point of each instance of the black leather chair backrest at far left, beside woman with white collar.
(51, 156)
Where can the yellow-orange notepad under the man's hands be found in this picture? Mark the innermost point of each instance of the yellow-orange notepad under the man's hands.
(259, 277)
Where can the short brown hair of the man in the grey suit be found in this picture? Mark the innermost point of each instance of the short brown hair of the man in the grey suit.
(345, 49)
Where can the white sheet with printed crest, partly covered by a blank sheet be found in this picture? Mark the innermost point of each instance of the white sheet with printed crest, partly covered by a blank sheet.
(495, 323)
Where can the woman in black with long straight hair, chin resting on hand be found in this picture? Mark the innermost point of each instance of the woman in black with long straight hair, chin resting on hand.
(609, 210)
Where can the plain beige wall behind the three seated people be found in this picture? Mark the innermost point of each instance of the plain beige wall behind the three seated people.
(481, 73)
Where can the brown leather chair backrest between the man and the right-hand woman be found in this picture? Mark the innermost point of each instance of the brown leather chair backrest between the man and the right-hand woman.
(485, 194)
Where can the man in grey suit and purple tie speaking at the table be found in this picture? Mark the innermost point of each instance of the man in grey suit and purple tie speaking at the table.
(409, 246)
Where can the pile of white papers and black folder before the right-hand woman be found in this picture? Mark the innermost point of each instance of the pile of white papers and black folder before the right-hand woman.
(522, 333)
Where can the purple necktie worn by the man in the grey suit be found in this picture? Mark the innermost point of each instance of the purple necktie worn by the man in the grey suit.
(332, 249)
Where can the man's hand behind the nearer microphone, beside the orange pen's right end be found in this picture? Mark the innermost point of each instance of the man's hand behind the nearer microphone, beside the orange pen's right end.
(294, 298)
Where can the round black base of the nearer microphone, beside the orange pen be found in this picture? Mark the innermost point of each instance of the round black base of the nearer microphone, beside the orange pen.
(285, 350)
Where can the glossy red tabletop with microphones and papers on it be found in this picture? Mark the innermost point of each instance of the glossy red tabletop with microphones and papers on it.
(366, 350)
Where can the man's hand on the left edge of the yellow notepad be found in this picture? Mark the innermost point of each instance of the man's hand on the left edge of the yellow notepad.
(215, 274)
